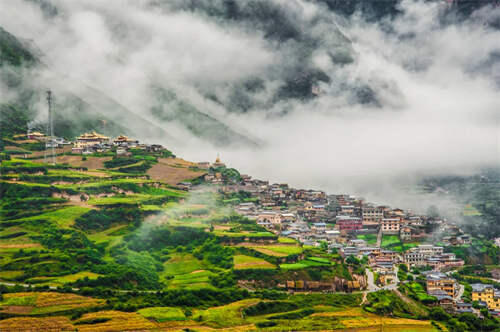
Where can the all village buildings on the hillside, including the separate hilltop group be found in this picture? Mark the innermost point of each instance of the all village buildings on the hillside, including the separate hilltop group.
(341, 223)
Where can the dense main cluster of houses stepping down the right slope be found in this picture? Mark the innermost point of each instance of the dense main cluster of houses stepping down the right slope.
(313, 217)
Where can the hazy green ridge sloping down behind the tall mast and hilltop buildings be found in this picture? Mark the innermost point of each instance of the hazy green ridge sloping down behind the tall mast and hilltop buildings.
(79, 108)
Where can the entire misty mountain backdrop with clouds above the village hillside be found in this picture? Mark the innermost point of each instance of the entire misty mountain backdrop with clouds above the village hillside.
(349, 96)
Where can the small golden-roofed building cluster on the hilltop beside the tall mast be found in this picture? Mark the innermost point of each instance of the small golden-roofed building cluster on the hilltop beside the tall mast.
(89, 143)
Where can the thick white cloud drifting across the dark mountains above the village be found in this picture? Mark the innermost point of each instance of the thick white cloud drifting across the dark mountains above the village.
(435, 83)
